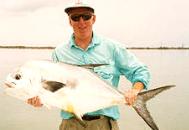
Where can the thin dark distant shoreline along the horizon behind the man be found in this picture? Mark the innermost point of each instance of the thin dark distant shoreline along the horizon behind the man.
(137, 48)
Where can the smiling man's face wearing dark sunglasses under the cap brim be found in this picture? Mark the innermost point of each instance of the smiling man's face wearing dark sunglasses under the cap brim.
(81, 19)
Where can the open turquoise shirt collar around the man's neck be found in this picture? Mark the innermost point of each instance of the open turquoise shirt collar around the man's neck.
(95, 41)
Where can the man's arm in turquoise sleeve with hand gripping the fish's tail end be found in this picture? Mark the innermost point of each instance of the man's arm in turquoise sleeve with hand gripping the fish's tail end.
(135, 71)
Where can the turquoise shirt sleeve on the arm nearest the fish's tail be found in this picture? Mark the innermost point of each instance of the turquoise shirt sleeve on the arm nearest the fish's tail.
(131, 67)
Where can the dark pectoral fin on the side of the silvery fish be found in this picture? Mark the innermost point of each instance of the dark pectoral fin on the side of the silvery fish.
(52, 86)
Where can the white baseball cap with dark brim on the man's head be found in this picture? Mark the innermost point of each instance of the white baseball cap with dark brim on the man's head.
(78, 4)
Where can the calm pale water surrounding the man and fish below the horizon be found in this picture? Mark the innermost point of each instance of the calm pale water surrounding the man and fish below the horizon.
(169, 109)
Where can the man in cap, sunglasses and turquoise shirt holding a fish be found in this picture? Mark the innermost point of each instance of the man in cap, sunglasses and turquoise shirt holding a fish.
(85, 47)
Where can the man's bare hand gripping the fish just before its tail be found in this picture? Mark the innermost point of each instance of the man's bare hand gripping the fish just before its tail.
(131, 94)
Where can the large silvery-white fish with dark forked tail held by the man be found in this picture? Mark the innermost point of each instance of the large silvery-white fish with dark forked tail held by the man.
(73, 88)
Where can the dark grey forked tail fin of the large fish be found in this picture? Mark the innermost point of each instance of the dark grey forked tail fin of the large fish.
(140, 104)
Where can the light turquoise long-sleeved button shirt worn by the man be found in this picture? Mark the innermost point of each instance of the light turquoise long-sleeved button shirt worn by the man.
(104, 51)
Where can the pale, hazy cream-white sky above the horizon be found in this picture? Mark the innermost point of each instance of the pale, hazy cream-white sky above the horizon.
(133, 22)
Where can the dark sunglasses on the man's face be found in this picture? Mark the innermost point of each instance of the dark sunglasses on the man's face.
(76, 17)
